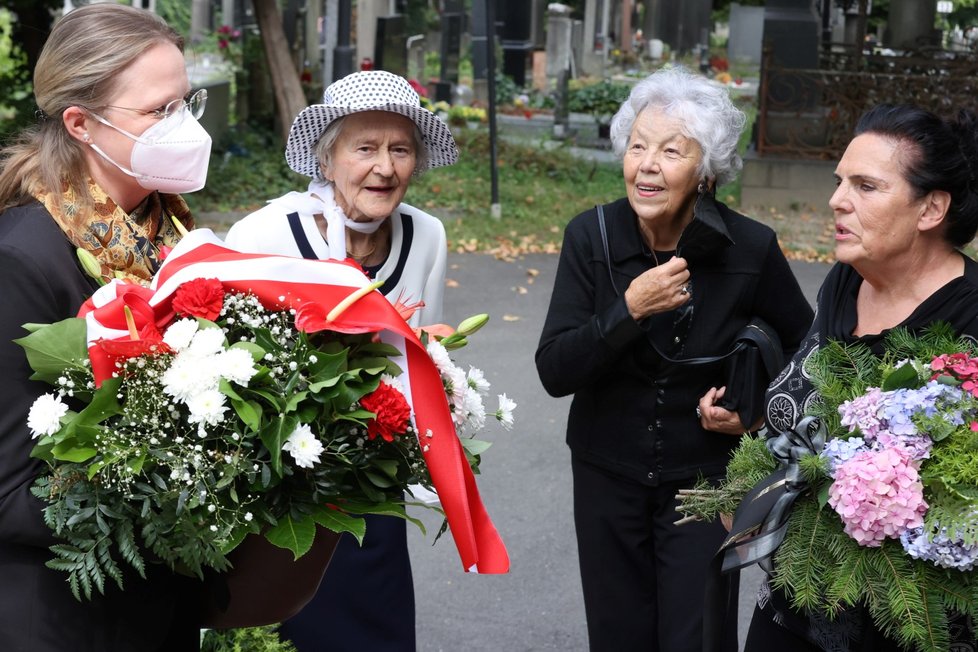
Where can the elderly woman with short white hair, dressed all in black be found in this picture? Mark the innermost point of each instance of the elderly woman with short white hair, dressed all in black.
(645, 286)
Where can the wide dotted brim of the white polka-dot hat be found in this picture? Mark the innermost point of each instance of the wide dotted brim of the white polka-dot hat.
(309, 126)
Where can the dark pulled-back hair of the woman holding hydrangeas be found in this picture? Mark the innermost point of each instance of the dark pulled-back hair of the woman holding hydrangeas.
(942, 155)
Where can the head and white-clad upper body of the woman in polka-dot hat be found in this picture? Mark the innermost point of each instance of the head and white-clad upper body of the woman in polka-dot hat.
(361, 148)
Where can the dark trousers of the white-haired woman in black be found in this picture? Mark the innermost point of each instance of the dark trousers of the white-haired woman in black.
(643, 576)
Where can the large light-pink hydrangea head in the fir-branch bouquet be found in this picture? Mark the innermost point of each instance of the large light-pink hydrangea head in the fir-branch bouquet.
(879, 495)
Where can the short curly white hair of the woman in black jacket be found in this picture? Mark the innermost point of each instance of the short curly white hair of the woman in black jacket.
(704, 109)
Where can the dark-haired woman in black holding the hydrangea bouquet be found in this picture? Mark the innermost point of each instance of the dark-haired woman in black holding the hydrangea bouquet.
(906, 203)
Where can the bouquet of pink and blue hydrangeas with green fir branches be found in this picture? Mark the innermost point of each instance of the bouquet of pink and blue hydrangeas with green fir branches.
(885, 514)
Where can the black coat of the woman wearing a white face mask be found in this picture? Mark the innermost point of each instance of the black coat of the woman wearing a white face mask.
(41, 282)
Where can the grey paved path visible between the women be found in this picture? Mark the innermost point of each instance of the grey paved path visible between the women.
(525, 484)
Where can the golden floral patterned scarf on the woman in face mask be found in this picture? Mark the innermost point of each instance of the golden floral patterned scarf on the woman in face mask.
(127, 245)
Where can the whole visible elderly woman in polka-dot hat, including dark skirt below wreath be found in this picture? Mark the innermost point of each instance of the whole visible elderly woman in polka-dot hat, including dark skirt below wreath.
(361, 147)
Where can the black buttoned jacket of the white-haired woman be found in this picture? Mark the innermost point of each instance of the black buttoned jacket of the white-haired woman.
(632, 414)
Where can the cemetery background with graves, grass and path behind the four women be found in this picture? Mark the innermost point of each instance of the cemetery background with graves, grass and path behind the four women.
(550, 174)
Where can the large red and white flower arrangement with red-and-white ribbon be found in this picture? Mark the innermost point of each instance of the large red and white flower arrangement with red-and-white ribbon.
(286, 396)
